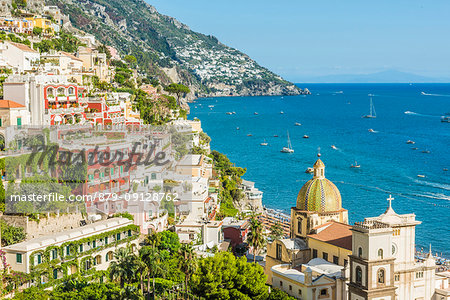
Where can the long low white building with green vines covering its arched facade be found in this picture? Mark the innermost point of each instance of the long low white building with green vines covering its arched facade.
(75, 250)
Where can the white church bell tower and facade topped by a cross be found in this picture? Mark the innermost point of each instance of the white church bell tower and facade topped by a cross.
(383, 265)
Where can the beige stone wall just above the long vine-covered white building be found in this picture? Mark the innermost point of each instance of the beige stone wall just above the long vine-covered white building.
(45, 225)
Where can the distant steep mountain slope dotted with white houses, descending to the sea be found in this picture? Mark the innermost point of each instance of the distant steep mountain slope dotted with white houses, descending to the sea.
(164, 46)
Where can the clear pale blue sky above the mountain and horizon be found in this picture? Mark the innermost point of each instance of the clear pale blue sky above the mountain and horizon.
(298, 38)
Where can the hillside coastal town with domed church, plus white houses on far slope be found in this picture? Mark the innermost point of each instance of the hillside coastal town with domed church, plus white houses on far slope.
(147, 208)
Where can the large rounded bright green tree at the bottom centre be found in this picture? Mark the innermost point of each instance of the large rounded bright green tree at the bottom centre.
(226, 277)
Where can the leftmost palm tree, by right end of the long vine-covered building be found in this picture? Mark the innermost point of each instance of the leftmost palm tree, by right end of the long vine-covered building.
(123, 268)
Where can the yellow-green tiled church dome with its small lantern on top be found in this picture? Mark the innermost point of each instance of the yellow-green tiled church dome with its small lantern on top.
(319, 194)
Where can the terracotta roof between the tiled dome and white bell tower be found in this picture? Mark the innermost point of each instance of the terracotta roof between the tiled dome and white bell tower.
(334, 233)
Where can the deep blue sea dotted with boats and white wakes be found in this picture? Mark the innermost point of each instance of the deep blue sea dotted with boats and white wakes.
(332, 116)
